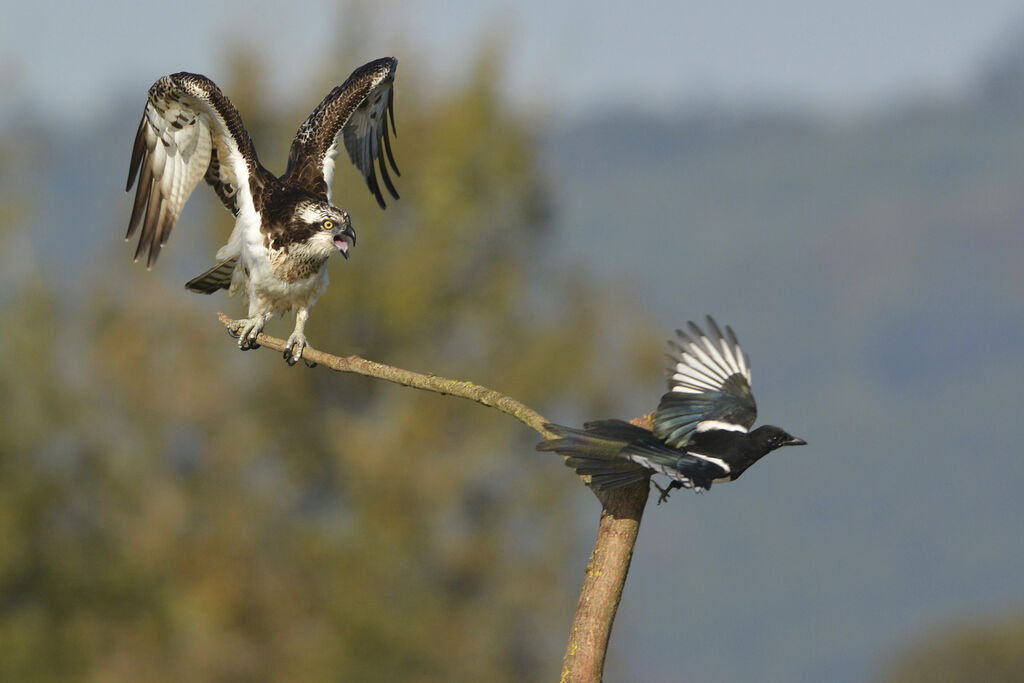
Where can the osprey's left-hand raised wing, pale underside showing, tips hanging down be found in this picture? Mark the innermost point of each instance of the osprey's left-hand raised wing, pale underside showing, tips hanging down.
(190, 132)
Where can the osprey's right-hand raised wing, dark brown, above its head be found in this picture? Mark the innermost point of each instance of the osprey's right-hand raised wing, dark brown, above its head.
(355, 113)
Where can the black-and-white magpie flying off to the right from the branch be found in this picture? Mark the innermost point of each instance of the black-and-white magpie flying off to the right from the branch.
(701, 429)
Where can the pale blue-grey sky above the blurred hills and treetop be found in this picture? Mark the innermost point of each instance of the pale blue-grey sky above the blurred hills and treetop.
(565, 57)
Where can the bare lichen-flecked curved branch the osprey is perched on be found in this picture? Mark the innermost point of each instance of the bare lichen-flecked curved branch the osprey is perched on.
(617, 533)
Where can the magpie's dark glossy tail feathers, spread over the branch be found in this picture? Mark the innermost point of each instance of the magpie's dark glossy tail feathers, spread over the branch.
(598, 451)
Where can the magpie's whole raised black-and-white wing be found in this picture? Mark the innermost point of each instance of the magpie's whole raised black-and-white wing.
(710, 388)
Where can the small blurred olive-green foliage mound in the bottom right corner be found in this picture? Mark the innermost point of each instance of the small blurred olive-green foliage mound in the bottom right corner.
(991, 651)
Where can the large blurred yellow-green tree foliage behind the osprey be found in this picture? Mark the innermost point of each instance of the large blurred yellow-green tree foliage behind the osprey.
(175, 510)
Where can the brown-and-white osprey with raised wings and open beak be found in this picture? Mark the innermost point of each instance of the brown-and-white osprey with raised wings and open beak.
(285, 228)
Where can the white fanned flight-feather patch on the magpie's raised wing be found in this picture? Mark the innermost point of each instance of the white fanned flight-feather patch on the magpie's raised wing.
(704, 363)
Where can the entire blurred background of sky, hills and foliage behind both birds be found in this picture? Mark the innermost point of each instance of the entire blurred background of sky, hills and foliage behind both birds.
(841, 184)
